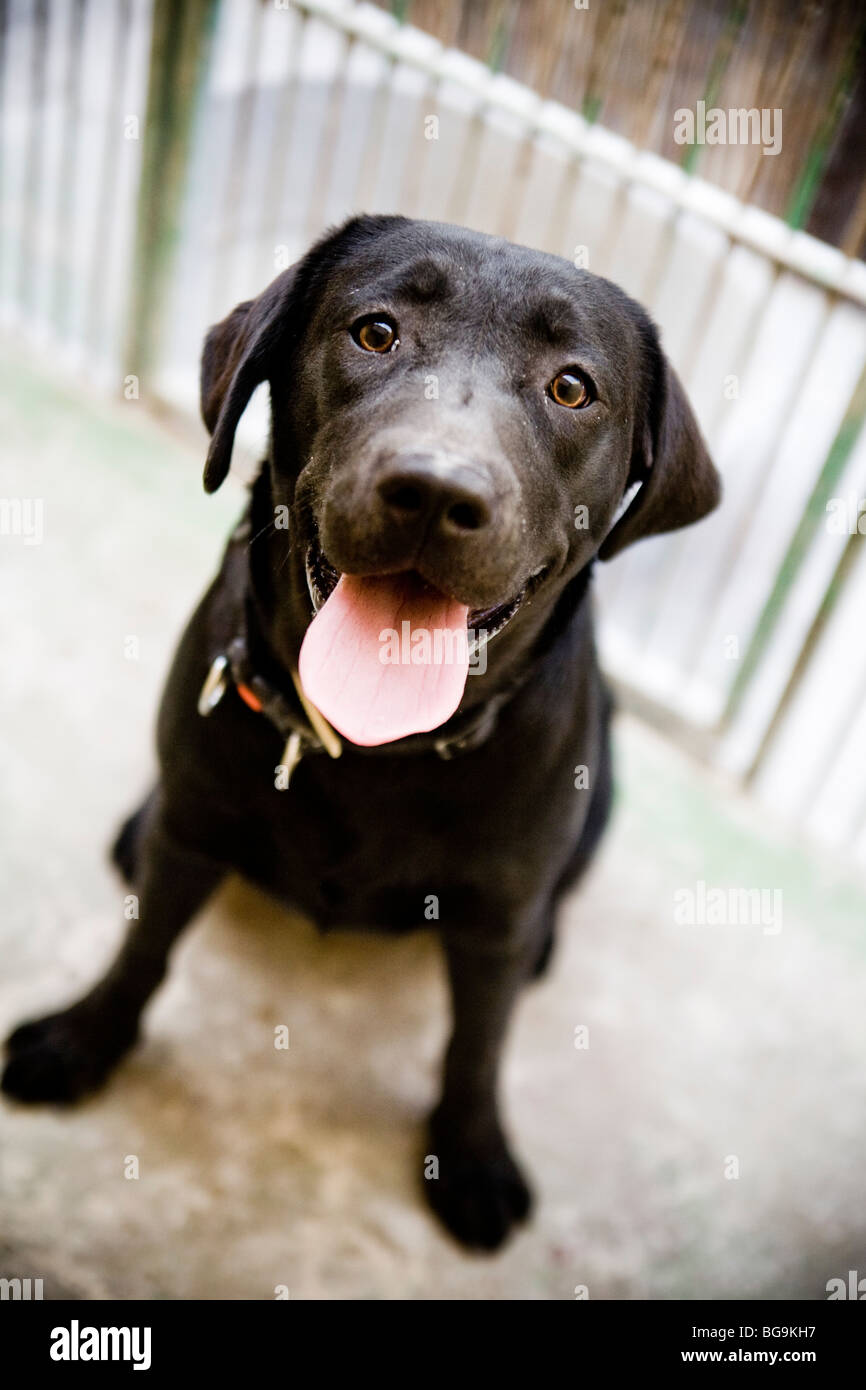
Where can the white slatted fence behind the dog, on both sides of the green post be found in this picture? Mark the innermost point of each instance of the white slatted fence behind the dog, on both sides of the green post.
(747, 628)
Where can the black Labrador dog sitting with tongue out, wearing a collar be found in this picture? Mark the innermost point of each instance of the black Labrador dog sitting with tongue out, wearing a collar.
(459, 429)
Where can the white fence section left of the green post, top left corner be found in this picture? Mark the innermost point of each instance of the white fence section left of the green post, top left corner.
(72, 77)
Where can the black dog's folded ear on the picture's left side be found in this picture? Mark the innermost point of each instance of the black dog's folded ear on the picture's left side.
(237, 358)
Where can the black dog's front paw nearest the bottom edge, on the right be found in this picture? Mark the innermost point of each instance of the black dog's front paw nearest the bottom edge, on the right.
(479, 1199)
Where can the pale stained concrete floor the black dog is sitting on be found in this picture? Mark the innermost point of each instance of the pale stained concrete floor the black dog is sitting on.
(262, 1168)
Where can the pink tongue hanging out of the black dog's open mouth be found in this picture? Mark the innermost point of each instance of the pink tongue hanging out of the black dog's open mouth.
(386, 657)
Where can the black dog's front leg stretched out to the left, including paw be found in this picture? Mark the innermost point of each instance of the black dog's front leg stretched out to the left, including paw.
(67, 1054)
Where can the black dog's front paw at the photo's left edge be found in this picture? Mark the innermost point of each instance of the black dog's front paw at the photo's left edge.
(62, 1057)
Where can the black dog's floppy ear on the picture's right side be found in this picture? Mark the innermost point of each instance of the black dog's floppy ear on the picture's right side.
(678, 480)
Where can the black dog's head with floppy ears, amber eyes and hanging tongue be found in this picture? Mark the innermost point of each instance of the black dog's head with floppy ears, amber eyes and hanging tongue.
(459, 427)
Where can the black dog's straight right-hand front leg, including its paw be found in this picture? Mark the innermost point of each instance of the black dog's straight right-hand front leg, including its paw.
(476, 1188)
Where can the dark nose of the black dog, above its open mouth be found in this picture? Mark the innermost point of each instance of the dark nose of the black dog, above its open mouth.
(439, 494)
